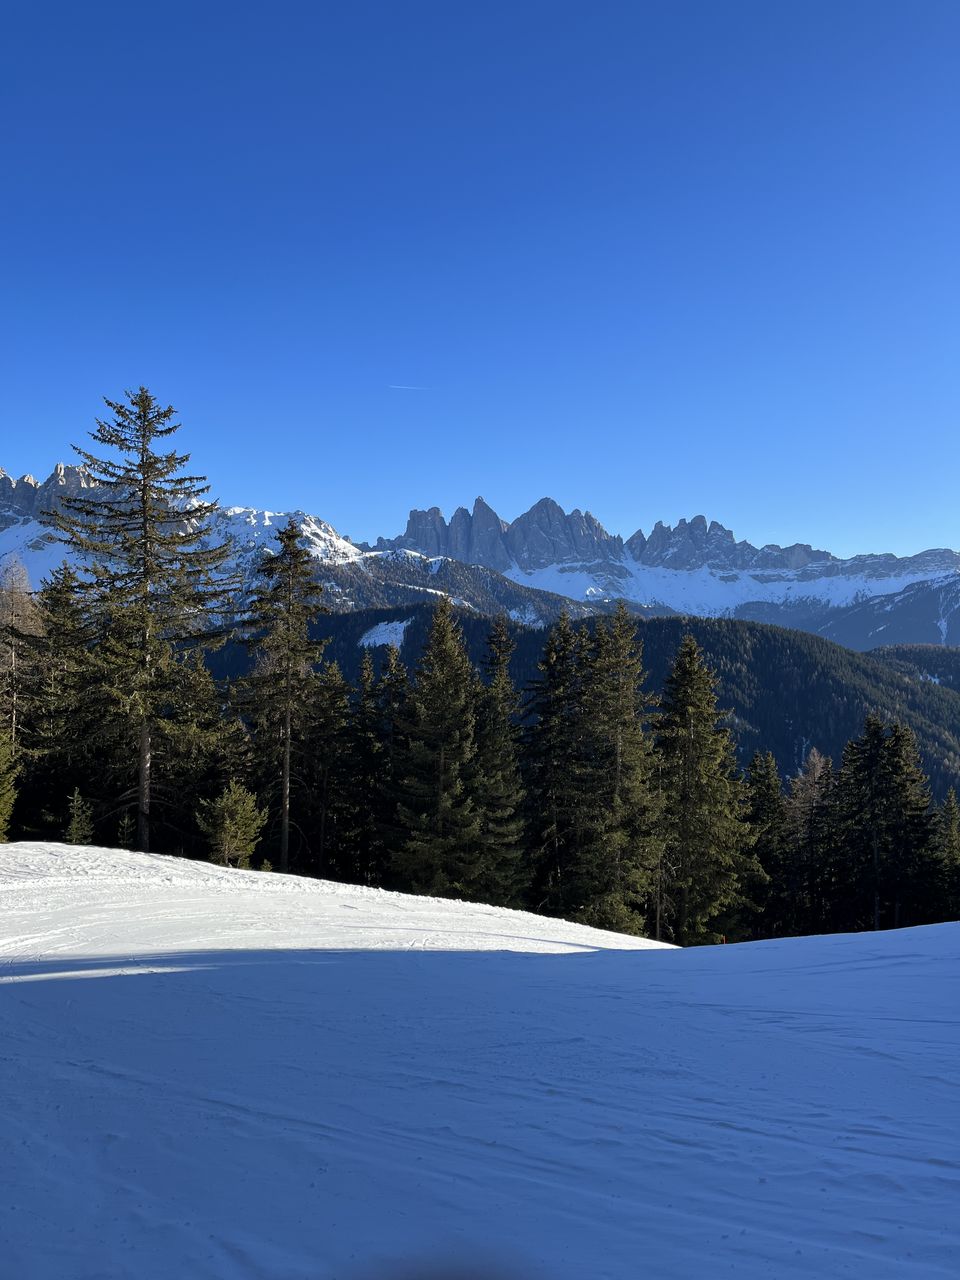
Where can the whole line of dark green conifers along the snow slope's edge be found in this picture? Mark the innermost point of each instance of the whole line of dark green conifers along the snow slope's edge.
(580, 796)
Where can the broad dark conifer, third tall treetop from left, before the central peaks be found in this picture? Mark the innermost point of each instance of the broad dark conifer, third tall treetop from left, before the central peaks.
(437, 813)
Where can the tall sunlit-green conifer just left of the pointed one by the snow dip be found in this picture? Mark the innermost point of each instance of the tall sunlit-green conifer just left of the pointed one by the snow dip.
(620, 844)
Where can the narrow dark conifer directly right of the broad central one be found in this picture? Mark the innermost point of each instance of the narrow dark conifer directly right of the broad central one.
(504, 875)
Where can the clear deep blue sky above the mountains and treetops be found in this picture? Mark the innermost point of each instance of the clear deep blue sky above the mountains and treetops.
(652, 259)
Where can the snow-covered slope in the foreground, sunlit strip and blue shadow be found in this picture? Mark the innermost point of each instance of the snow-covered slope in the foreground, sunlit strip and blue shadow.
(226, 1075)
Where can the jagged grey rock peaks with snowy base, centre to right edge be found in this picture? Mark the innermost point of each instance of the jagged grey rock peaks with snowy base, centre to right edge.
(701, 569)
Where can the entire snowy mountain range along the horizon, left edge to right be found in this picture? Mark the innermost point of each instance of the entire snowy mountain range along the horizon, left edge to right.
(548, 560)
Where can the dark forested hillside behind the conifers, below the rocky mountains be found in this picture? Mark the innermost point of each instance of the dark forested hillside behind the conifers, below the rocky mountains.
(787, 691)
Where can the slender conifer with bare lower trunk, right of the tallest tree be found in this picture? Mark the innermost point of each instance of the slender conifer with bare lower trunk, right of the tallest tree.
(281, 688)
